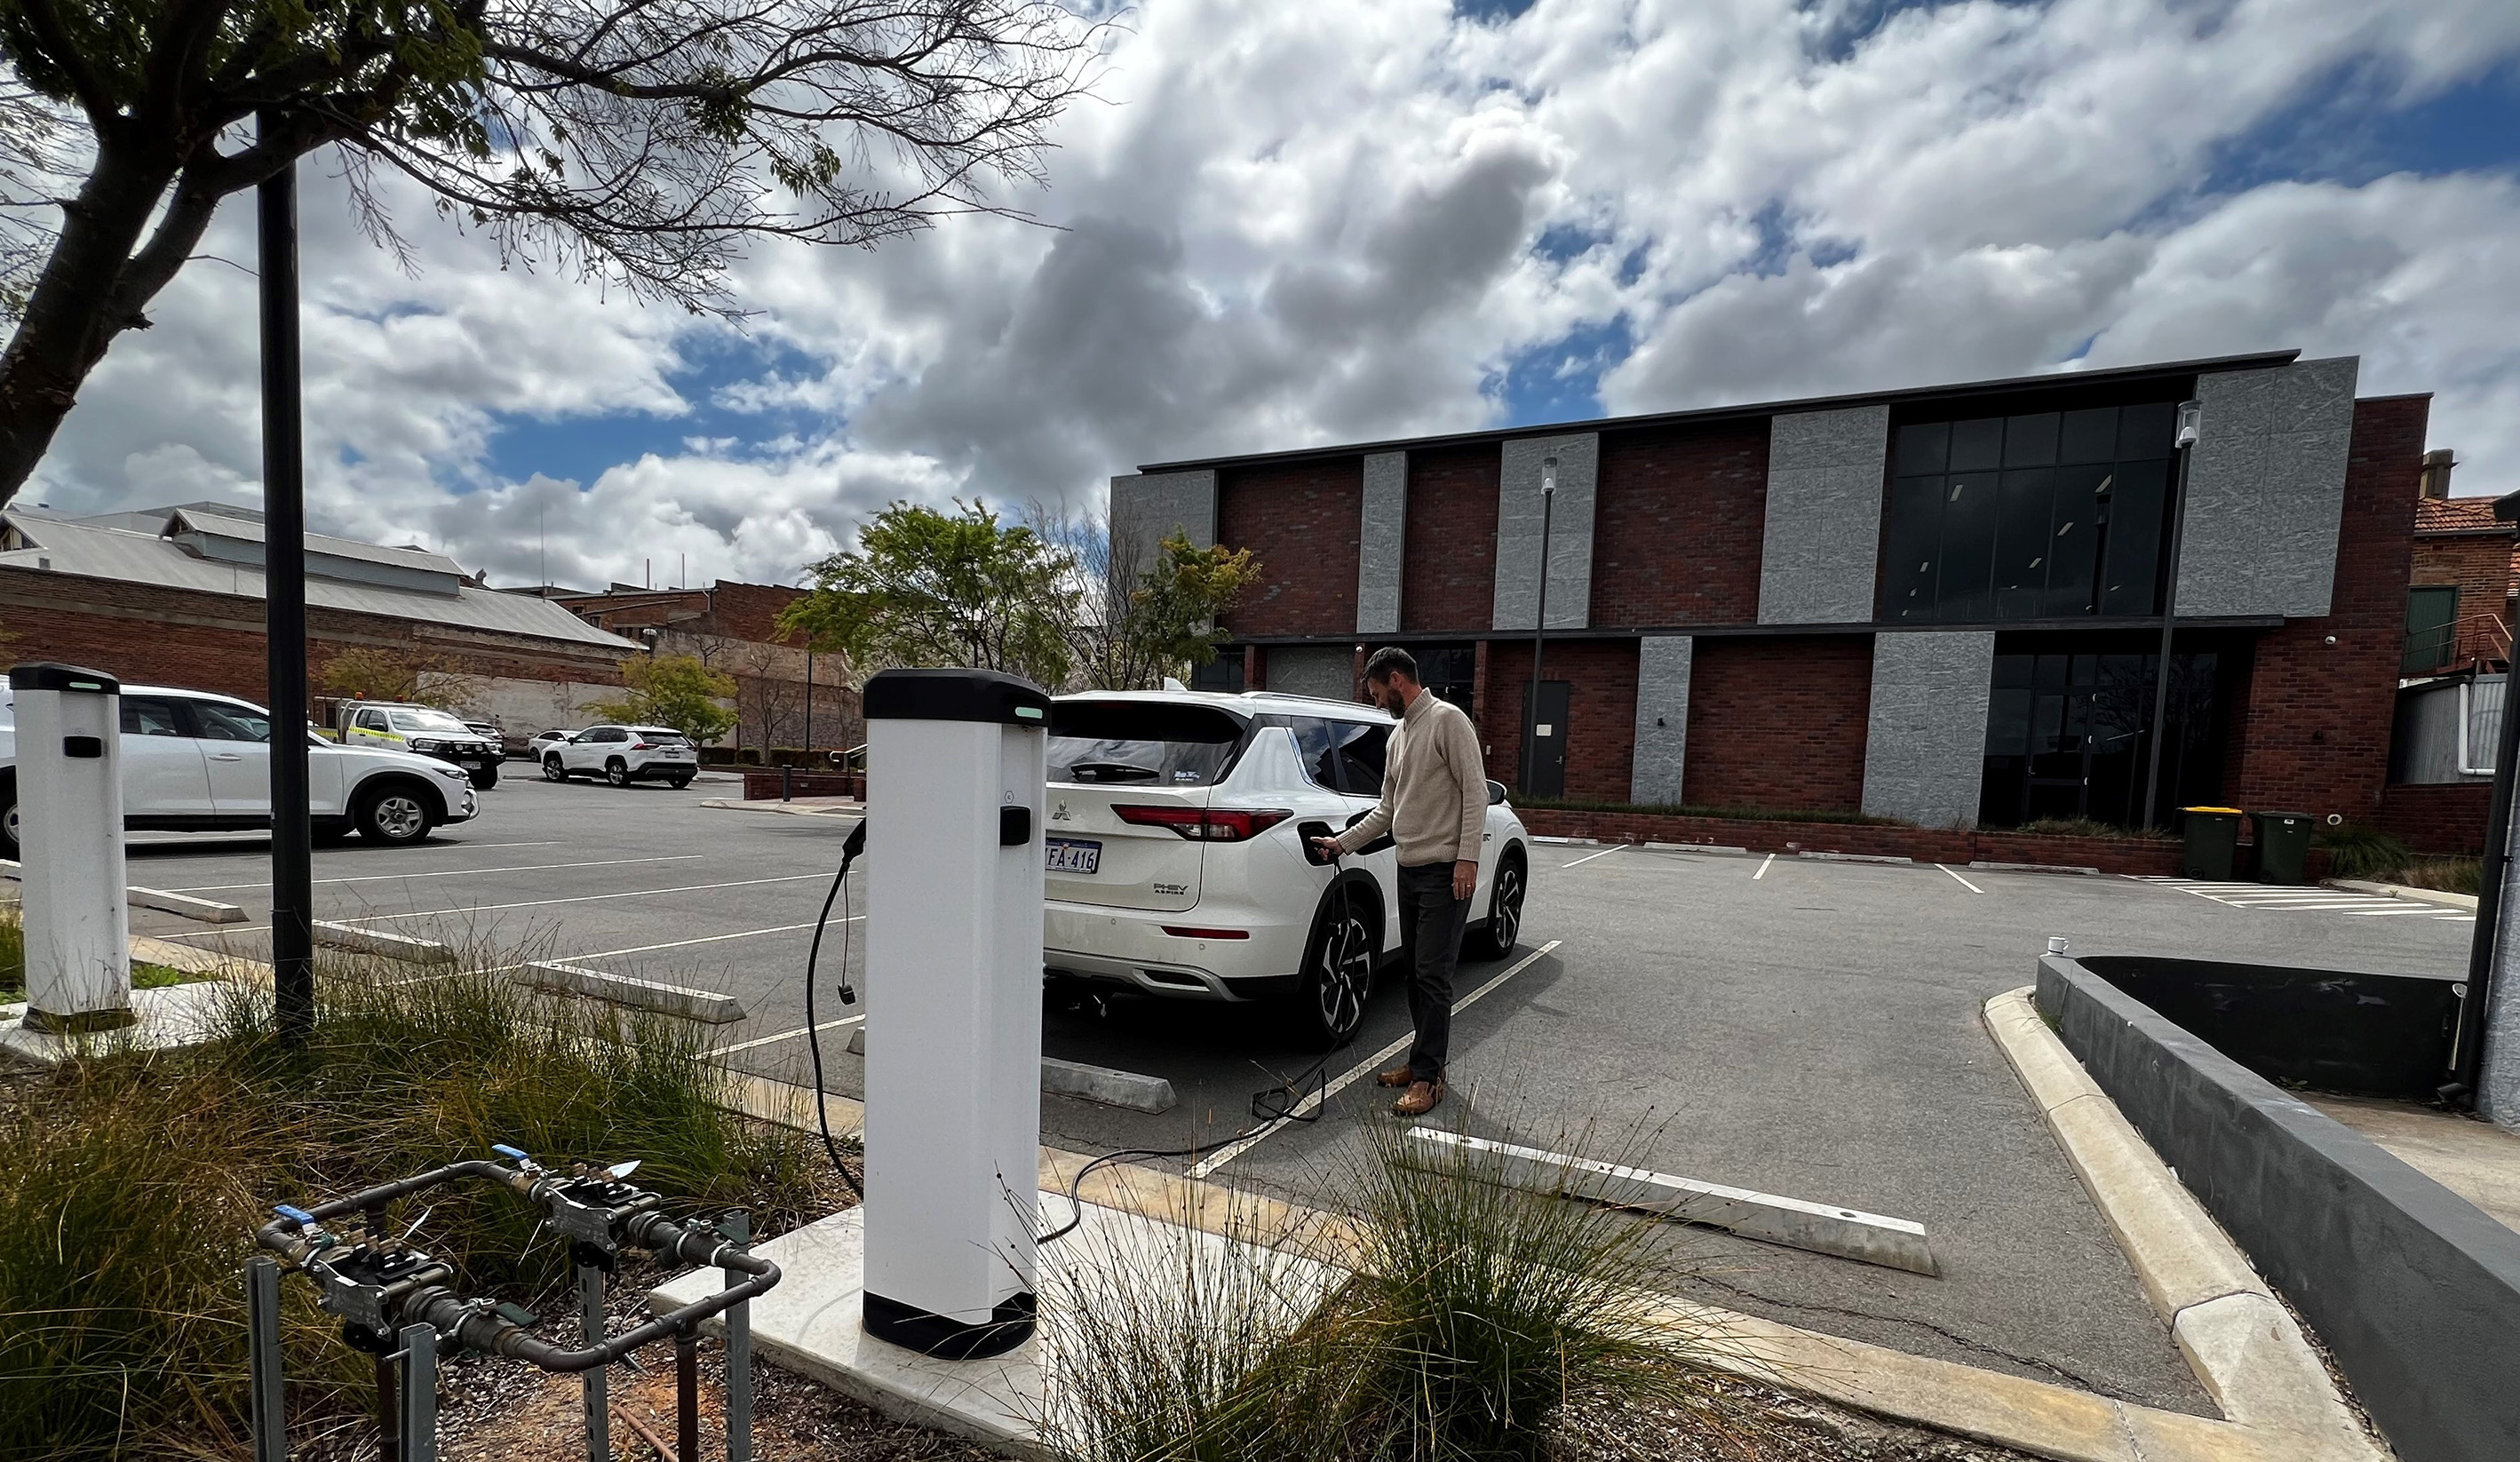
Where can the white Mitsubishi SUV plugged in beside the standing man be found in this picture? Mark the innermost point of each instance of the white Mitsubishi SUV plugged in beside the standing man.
(1178, 868)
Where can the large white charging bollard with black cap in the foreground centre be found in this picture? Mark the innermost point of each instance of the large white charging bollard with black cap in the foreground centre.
(954, 989)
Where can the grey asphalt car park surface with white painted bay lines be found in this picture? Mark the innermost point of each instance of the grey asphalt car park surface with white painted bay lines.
(1788, 1025)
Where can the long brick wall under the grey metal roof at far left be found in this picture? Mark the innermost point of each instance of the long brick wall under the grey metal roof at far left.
(160, 636)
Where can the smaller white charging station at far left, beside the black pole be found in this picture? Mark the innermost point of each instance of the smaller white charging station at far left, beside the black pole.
(72, 836)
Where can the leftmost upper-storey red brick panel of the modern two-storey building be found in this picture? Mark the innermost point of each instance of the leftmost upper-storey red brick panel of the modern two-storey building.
(1302, 523)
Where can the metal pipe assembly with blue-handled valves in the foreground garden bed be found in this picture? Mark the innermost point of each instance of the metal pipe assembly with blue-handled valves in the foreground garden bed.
(397, 1302)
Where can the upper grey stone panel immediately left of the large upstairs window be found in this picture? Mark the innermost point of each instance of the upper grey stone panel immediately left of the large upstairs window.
(1823, 533)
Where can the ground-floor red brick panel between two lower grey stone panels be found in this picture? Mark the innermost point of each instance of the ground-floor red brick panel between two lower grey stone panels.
(1778, 722)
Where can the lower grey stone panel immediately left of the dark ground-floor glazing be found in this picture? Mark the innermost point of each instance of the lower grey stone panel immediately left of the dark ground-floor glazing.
(1927, 735)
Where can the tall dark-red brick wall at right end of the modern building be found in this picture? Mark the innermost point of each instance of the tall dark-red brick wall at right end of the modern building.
(2312, 732)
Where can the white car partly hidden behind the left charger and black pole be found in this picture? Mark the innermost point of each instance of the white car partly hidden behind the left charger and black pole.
(198, 763)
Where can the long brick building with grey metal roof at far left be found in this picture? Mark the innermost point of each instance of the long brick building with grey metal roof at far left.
(175, 599)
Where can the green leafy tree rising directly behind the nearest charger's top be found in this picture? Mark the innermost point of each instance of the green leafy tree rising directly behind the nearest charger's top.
(944, 589)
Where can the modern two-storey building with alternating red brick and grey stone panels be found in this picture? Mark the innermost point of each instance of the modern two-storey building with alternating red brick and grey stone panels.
(1924, 604)
